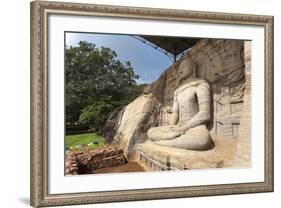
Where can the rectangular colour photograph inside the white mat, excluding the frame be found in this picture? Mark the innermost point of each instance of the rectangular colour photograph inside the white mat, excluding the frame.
(138, 103)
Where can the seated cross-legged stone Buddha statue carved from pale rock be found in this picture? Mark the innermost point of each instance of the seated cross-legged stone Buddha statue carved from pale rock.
(190, 113)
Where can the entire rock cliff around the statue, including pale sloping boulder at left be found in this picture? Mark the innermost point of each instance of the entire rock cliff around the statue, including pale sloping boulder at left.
(219, 62)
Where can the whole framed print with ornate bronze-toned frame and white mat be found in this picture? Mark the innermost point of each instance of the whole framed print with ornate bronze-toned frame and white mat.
(140, 103)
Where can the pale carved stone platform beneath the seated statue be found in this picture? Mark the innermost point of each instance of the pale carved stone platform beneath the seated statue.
(154, 157)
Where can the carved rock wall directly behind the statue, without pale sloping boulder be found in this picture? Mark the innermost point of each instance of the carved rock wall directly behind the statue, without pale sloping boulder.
(221, 63)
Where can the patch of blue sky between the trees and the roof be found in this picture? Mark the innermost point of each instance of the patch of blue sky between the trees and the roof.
(146, 61)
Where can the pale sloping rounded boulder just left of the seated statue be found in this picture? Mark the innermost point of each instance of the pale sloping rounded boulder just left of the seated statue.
(137, 118)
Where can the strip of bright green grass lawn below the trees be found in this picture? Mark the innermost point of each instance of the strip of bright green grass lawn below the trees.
(84, 139)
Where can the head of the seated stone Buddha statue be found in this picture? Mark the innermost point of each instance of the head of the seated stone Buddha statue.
(187, 69)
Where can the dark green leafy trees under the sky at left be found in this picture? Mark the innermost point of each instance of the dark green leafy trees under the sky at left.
(96, 82)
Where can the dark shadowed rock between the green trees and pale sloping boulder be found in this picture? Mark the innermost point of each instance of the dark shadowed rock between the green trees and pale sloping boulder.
(112, 124)
